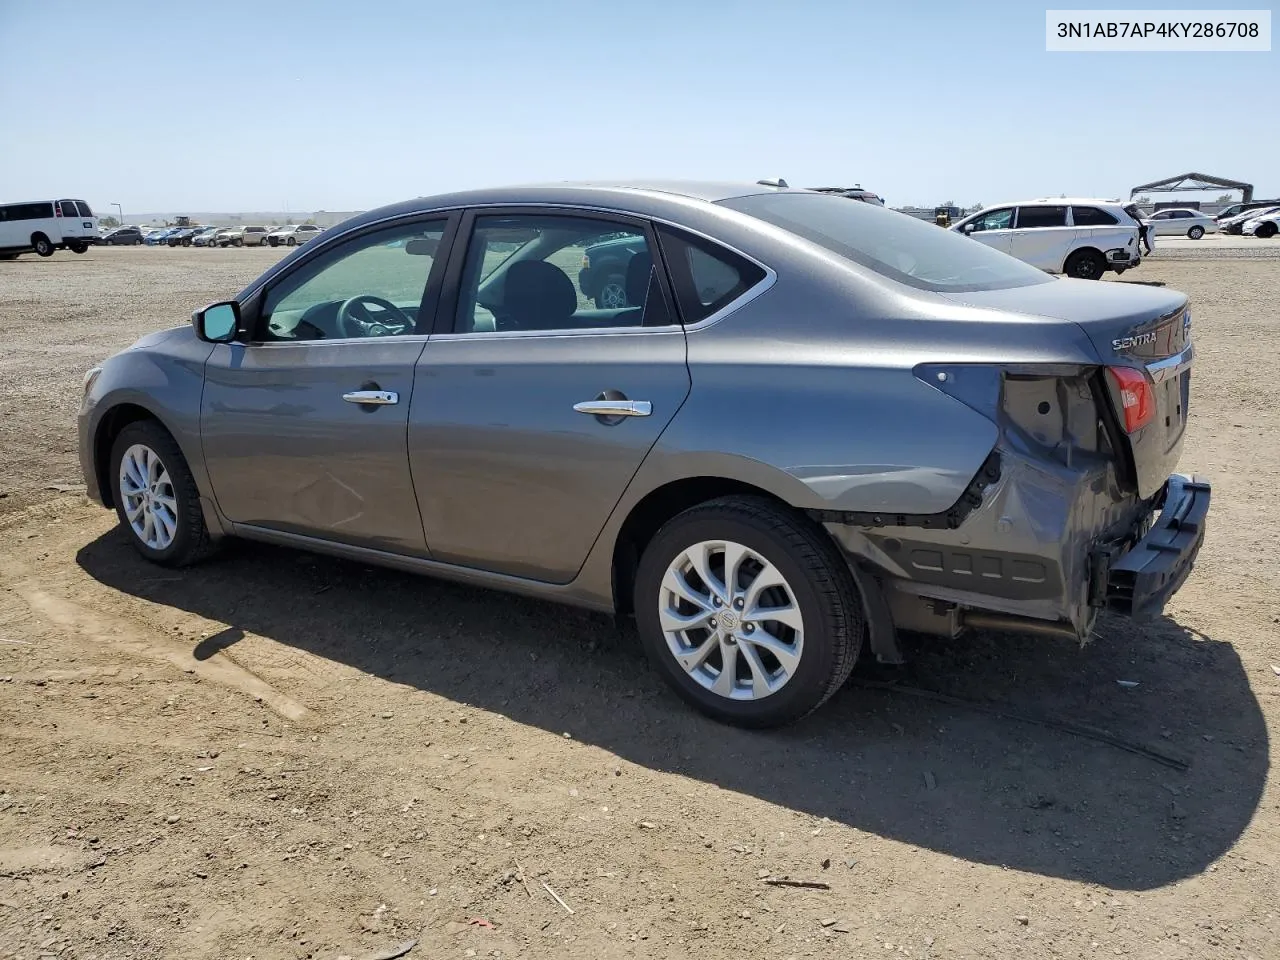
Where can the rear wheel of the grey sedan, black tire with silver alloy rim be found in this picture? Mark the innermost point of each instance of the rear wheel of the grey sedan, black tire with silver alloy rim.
(817, 583)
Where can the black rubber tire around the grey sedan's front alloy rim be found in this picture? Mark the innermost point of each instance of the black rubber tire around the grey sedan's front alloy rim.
(189, 541)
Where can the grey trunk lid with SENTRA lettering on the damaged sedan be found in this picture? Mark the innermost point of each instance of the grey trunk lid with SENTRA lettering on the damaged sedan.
(1130, 326)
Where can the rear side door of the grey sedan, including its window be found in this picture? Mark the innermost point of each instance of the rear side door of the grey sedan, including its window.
(534, 408)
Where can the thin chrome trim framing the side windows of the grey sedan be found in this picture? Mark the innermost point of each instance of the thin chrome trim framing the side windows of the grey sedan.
(317, 248)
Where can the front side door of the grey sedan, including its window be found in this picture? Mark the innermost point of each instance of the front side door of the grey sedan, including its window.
(304, 427)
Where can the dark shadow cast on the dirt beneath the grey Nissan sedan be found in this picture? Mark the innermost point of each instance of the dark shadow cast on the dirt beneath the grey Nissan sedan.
(986, 789)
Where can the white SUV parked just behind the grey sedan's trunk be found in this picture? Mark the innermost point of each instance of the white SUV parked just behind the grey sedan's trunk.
(1078, 237)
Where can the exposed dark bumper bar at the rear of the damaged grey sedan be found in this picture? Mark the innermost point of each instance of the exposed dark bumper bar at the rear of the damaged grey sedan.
(1137, 580)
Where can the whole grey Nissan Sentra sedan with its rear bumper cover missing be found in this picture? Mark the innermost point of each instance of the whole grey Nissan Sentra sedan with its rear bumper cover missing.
(822, 423)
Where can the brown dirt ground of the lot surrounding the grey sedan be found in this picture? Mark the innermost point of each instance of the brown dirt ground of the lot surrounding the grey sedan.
(282, 756)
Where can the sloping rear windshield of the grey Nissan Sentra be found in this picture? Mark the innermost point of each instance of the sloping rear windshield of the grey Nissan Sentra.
(892, 244)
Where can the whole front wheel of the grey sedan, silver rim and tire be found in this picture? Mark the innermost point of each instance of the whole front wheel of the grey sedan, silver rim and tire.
(156, 496)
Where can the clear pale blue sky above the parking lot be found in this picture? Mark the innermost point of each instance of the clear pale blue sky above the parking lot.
(234, 106)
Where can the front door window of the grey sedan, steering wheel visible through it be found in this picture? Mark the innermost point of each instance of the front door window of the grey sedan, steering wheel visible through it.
(371, 287)
